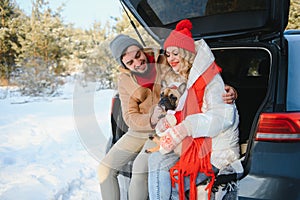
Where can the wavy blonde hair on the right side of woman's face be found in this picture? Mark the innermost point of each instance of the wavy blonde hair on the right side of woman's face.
(187, 60)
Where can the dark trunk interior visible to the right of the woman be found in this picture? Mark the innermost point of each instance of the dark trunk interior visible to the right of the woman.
(247, 70)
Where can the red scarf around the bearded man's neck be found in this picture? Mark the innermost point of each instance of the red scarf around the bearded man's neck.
(148, 81)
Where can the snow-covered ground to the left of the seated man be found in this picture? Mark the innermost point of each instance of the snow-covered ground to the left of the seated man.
(50, 147)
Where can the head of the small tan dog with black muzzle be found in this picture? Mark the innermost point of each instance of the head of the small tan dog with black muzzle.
(170, 95)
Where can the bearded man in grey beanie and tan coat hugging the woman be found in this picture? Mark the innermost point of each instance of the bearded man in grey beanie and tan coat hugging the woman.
(139, 89)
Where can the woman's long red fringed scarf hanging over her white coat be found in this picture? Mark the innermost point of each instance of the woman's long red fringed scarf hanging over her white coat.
(196, 152)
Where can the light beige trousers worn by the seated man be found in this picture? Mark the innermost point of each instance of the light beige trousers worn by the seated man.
(128, 148)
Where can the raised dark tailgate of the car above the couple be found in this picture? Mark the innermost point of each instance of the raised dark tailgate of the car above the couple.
(211, 18)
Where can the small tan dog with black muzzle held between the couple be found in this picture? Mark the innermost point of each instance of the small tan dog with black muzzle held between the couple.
(169, 98)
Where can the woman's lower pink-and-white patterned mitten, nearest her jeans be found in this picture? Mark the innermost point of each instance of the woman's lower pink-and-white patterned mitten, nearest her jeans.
(172, 137)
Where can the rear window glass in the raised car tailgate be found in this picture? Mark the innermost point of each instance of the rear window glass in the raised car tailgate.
(169, 11)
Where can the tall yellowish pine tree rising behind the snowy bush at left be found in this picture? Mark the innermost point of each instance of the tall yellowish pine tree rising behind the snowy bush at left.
(44, 38)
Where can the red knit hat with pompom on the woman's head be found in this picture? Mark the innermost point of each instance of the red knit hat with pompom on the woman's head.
(181, 36)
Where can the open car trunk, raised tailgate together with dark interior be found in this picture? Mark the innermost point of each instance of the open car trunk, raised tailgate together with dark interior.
(241, 34)
